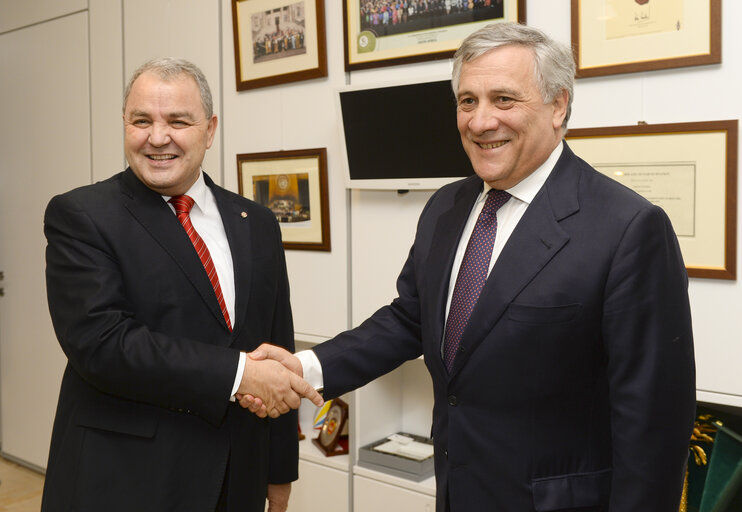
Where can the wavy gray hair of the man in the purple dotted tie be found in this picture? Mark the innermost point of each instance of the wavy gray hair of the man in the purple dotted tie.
(554, 65)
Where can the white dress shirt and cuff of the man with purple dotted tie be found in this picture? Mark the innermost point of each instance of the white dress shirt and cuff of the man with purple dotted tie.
(508, 217)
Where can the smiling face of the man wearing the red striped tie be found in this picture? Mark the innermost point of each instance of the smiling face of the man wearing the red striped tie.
(166, 132)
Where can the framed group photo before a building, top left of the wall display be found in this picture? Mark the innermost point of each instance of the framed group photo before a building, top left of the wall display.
(278, 41)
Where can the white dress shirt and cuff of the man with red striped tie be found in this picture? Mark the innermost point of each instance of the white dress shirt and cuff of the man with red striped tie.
(207, 221)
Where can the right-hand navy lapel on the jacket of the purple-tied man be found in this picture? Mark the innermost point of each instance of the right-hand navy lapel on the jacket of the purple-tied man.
(534, 242)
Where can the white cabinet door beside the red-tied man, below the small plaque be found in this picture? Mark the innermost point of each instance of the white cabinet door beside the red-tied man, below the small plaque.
(319, 489)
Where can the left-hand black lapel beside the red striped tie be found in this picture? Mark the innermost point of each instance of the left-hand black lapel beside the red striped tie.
(149, 209)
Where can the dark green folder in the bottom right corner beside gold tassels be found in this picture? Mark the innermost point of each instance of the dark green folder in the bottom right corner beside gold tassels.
(722, 491)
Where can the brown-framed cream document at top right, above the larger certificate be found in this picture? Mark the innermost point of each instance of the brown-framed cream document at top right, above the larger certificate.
(626, 36)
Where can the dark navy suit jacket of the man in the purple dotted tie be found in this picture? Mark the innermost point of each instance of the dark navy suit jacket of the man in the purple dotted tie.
(574, 384)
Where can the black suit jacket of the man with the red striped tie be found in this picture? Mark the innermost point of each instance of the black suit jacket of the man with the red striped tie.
(143, 421)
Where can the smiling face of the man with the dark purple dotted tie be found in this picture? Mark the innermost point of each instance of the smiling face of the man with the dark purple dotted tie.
(506, 128)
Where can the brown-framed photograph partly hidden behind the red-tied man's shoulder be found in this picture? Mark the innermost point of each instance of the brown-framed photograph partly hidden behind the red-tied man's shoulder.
(293, 184)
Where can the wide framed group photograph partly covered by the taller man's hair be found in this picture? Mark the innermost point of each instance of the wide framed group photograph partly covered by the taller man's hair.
(383, 33)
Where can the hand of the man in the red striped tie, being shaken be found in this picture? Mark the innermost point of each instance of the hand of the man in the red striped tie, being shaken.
(279, 389)
